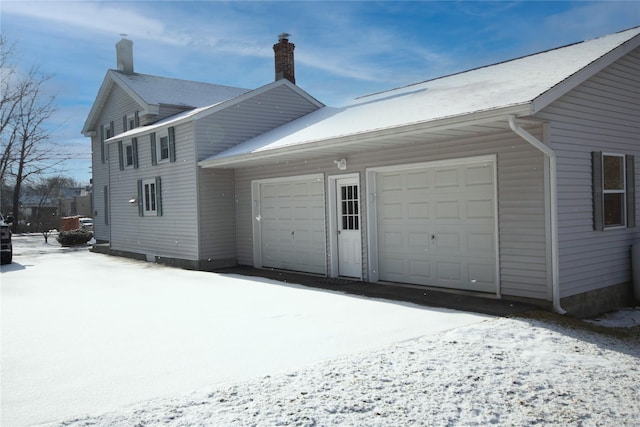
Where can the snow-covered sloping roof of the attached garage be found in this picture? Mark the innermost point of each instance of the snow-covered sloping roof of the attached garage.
(508, 84)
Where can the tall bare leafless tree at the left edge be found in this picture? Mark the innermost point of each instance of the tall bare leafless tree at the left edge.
(25, 108)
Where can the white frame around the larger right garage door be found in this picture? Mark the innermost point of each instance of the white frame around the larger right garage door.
(372, 220)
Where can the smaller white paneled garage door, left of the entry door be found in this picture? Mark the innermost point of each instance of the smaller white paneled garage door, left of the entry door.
(292, 224)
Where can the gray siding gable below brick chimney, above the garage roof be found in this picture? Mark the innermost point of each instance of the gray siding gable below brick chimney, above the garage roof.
(247, 119)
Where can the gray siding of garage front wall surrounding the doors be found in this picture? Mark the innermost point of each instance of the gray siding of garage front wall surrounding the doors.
(521, 200)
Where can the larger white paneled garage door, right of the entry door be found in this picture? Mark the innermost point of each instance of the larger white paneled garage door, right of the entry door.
(436, 226)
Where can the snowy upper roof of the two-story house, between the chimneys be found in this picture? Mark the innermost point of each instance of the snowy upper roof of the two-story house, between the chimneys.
(156, 90)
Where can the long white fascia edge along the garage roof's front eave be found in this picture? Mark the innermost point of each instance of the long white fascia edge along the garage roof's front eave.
(486, 116)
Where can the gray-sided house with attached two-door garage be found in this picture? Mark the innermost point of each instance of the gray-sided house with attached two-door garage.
(515, 180)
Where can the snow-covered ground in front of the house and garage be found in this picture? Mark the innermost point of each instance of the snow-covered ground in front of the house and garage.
(89, 339)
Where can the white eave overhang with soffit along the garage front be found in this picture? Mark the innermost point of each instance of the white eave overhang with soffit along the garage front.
(444, 128)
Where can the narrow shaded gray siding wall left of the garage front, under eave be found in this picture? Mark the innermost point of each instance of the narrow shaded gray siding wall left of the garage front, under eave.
(217, 216)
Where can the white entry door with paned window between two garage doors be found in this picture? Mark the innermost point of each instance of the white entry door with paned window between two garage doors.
(348, 225)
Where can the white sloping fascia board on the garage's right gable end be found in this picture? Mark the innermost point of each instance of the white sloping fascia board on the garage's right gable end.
(583, 75)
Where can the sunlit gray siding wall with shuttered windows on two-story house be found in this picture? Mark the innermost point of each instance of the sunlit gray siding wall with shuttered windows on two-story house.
(175, 233)
